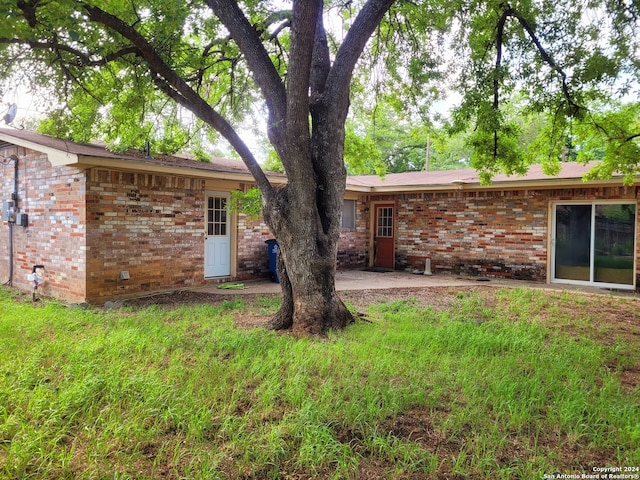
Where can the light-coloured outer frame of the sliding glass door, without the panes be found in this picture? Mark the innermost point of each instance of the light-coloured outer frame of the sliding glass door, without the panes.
(592, 240)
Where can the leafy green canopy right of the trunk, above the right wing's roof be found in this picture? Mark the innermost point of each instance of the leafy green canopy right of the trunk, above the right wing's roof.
(540, 82)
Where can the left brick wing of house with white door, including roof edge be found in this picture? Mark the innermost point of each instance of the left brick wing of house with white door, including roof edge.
(105, 225)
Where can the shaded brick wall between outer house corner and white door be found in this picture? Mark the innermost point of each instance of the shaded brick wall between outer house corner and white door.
(150, 225)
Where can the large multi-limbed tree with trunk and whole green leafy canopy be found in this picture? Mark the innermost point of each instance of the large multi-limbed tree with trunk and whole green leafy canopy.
(114, 63)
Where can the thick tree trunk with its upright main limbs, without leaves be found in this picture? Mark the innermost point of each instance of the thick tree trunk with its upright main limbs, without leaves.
(306, 128)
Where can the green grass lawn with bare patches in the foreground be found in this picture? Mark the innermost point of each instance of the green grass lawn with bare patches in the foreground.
(500, 384)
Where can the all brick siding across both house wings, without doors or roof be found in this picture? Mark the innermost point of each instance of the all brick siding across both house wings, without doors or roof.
(87, 226)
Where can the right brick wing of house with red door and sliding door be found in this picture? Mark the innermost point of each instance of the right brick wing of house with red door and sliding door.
(546, 229)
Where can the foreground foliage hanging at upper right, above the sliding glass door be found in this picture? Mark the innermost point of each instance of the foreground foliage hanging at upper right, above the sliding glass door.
(564, 63)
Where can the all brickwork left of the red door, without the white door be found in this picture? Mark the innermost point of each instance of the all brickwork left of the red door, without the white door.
(149, 225)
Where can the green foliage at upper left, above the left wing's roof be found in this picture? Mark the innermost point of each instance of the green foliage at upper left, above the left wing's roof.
(118, 101)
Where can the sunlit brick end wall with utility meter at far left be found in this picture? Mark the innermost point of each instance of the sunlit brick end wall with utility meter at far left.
(55, 237)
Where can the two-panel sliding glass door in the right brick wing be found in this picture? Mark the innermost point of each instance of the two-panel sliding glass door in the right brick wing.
(594, 244)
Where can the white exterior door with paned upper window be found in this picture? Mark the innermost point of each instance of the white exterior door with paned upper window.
(217, 243)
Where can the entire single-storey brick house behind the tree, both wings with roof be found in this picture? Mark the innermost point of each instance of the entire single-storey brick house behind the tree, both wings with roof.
(106, 225)
